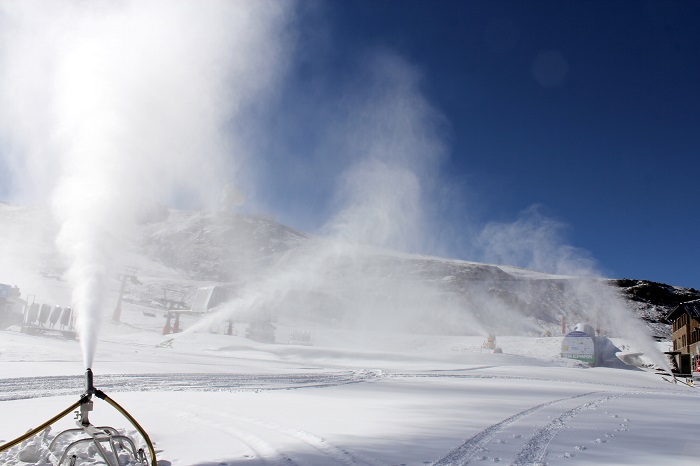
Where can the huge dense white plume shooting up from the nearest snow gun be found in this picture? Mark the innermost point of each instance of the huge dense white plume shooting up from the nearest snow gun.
(111, 107)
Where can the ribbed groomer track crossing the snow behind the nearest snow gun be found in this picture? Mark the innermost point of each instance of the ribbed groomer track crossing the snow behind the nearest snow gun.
(38, 387)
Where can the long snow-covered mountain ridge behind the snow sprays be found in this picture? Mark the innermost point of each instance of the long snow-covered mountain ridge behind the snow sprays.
(295, 275)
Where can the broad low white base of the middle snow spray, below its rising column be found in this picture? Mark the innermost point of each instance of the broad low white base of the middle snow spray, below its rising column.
(345, 286)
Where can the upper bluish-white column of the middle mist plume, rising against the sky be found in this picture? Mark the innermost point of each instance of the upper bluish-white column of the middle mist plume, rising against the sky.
(391, 134)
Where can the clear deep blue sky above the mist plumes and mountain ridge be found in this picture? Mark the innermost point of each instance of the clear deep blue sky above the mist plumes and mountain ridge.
(588, 110)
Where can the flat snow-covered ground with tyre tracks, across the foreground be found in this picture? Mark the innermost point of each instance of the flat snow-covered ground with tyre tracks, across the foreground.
(213, 399)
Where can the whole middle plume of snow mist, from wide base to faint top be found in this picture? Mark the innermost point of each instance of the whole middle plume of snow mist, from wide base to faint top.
(386, 146)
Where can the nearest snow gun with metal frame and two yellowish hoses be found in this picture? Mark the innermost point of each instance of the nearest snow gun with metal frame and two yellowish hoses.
(89, 443)
